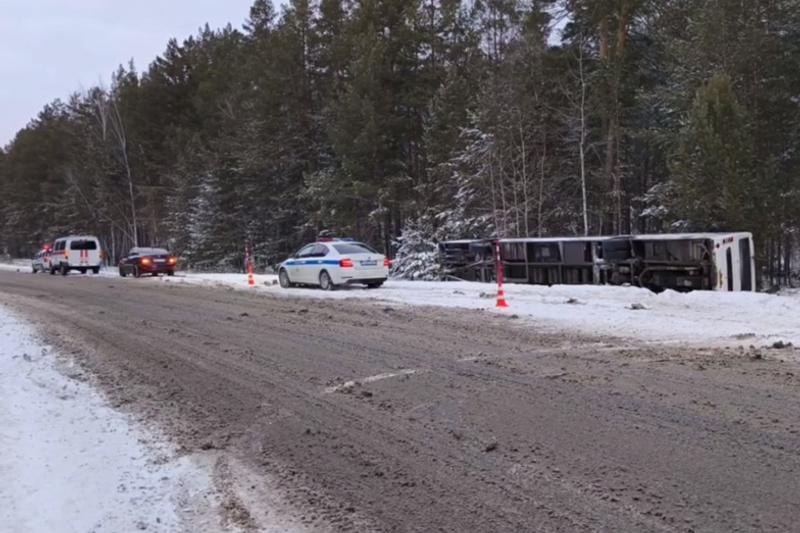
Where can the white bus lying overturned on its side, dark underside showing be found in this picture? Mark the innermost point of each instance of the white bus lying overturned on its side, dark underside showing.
(678, 261)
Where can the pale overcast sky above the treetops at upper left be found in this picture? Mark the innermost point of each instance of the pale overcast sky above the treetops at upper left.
(50, 48)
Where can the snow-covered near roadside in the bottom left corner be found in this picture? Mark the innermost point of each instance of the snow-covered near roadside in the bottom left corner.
(70, 463)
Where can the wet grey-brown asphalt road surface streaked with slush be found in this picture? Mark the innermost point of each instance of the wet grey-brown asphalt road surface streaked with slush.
(372, 417)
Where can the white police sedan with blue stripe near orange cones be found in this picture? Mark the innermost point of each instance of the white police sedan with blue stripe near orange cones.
(329, 263)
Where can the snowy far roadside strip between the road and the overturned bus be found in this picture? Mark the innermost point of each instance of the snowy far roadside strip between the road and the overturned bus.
(700, 317)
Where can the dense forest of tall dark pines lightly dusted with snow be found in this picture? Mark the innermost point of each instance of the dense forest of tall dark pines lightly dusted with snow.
(403, 122)
